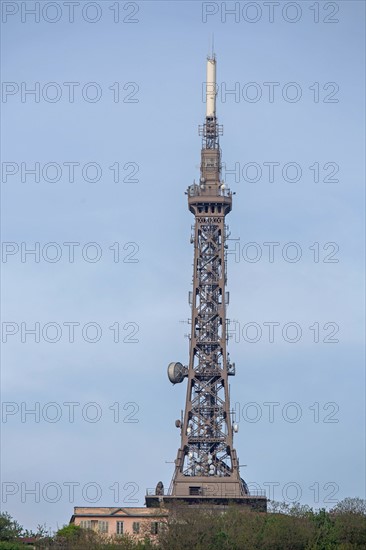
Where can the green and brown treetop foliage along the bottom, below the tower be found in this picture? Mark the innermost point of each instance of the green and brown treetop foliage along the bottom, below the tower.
(284, 527)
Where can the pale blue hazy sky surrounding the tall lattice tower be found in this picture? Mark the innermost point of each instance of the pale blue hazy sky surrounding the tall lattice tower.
(164, 54)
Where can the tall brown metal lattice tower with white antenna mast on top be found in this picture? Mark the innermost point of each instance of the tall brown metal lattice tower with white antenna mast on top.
(206, 467)
